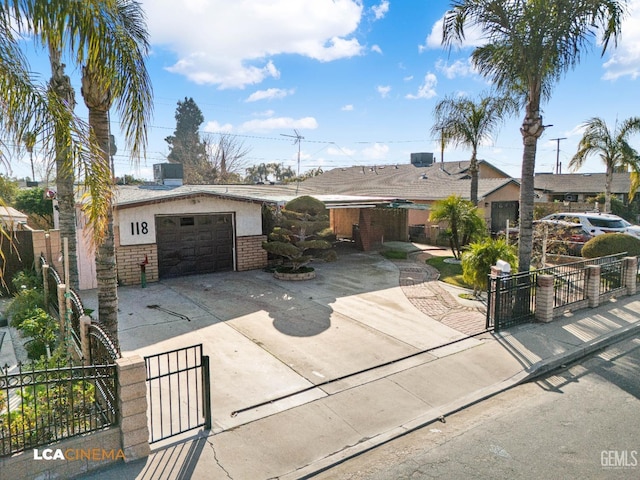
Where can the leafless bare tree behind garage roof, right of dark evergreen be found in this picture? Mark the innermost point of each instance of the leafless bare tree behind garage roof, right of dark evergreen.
(226, 156)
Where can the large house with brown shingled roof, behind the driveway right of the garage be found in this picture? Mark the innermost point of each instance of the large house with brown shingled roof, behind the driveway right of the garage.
(423, 184)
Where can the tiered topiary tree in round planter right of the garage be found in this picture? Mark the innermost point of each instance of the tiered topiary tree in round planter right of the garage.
(300, 235)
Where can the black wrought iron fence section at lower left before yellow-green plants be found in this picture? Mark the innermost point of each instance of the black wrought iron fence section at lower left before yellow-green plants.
(40, 404)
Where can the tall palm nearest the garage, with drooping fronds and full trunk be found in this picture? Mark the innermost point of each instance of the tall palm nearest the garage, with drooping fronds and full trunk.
(109, 39)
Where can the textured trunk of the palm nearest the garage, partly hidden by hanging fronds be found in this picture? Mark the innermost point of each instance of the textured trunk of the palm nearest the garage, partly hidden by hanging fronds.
(98, 102)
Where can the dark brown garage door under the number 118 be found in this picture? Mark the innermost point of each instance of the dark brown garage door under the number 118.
(191, 244)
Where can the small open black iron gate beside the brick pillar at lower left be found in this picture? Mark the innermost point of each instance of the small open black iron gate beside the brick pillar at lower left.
(179, 392)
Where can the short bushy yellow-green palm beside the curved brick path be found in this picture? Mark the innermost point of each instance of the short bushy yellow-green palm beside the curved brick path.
(463, 220)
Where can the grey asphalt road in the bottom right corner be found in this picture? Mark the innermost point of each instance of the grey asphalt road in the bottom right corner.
(582, 422)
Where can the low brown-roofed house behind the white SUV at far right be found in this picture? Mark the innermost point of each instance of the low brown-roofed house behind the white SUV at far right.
(578, 187)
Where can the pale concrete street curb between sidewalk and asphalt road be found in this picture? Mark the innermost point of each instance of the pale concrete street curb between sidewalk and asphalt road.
(434, 415)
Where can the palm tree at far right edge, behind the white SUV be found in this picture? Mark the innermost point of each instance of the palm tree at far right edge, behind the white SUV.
(614, 150)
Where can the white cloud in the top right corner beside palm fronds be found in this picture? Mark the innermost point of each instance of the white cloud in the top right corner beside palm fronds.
(625, 59)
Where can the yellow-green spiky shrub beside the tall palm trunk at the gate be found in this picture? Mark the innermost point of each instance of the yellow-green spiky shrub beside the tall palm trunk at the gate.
(479, 257)
